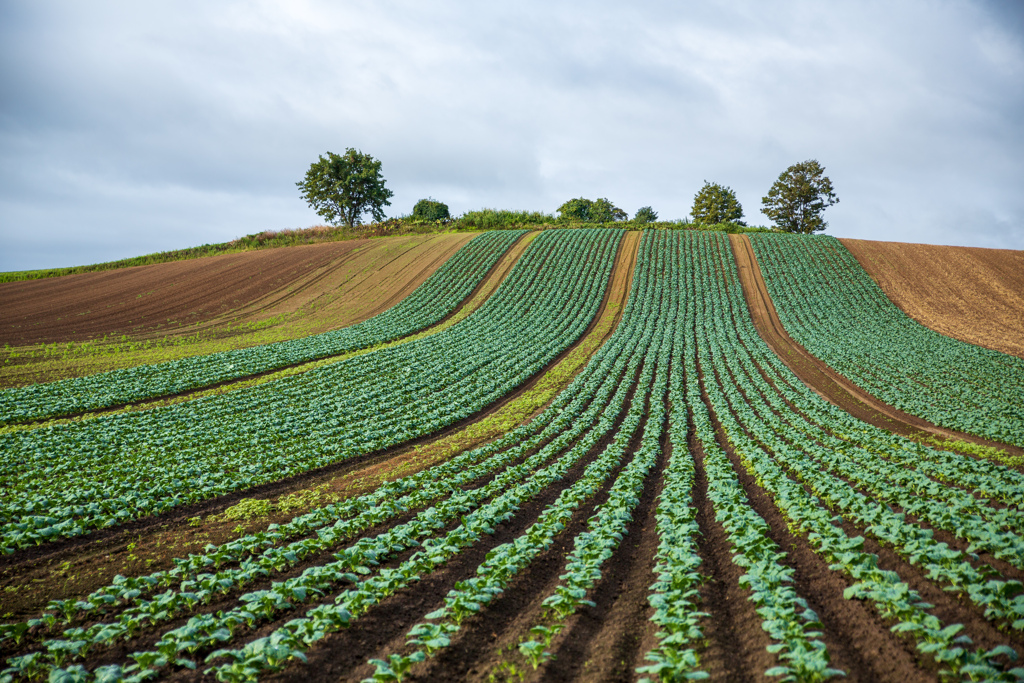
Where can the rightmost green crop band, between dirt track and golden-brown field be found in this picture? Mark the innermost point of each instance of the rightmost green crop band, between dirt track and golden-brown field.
(832, 307)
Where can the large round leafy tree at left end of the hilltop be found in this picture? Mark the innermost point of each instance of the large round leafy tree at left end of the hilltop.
(343, 188)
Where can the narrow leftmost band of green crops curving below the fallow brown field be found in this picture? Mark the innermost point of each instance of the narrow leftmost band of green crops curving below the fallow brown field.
(432, 302)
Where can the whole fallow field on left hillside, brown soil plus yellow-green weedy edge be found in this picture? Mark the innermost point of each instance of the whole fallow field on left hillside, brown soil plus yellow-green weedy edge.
(91, 323)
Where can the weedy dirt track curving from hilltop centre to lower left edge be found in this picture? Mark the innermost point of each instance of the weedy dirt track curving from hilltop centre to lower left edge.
(77, 567)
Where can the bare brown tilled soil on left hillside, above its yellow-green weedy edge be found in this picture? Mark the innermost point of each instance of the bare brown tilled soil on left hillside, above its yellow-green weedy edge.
(340, 282)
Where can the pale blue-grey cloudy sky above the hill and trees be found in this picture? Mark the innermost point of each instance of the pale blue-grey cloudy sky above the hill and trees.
(129, 129)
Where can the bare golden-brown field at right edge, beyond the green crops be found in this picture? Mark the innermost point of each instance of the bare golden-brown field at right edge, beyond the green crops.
(975, 295)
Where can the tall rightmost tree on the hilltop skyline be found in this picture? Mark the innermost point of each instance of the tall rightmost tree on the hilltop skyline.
(796, 201)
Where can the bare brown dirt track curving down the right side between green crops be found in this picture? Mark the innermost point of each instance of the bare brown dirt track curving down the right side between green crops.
(820, 377)
